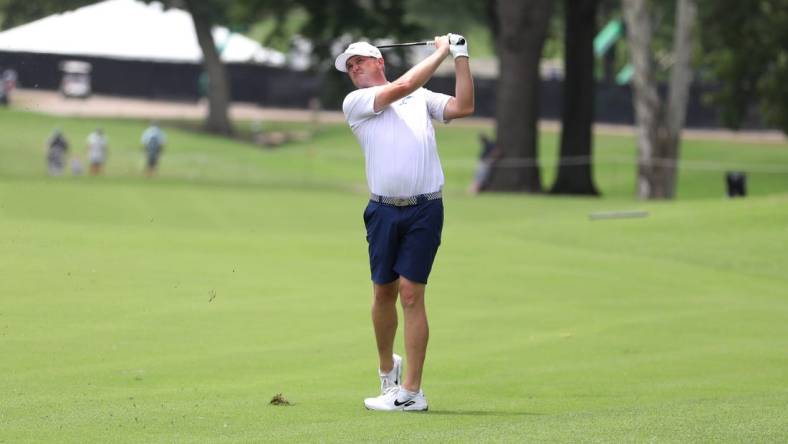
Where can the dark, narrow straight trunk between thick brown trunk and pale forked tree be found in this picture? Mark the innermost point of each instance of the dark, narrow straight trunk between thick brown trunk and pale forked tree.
(575, 174)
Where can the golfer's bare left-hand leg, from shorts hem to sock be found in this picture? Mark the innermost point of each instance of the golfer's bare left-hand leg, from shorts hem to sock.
(384, 319)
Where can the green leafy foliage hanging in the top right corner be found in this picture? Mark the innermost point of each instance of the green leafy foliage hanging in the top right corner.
(745, 51)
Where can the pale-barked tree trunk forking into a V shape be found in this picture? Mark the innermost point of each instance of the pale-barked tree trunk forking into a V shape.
(659, 123)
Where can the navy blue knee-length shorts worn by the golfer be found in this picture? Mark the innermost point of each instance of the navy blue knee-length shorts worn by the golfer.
(403, 241)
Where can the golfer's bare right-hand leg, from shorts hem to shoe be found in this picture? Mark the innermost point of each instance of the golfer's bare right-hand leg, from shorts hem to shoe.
(416, 331)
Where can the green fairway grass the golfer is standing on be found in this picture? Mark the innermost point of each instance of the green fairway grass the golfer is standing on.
(174, 309)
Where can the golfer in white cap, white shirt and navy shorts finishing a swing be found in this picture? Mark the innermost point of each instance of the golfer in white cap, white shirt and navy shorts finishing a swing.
(404, 218)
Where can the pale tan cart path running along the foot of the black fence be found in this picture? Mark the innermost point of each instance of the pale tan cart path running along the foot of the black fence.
(51, 102)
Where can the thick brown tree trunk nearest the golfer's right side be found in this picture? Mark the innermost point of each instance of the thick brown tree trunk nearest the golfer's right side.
(523, 26)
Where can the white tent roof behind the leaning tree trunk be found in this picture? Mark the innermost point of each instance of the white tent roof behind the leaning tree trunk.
(130, 29)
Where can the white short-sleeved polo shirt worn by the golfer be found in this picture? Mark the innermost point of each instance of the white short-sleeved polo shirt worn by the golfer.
(399, 141)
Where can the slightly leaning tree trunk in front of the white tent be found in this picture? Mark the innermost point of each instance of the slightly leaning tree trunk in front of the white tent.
(218, 85)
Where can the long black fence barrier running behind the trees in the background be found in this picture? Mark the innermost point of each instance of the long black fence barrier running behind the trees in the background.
(279, 87)
